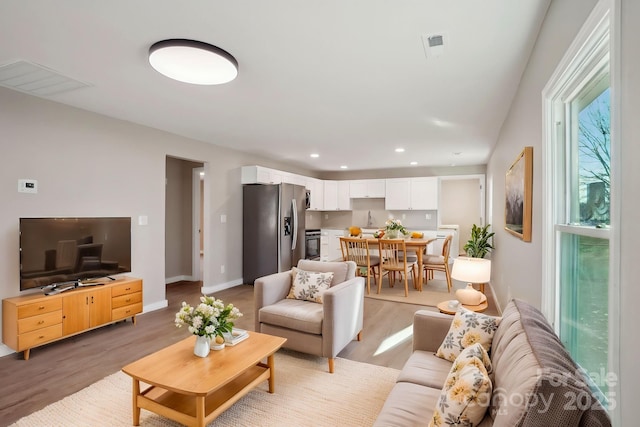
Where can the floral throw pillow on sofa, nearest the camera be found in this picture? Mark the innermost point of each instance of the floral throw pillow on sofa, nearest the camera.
(466, 394)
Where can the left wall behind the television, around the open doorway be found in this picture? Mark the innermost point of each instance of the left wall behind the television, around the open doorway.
(91, 165)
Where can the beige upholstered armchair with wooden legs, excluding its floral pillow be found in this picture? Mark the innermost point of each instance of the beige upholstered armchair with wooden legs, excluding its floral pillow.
(322, 329)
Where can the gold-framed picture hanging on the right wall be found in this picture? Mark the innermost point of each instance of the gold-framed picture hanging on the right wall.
(518, 197)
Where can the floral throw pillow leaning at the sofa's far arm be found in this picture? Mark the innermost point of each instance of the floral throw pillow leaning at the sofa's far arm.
(467, 328)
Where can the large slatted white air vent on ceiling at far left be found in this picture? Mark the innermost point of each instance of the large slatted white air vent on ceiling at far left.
(35, 79)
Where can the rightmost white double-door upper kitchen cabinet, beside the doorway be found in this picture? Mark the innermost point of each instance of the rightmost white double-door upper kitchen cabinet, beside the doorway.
(412, 193)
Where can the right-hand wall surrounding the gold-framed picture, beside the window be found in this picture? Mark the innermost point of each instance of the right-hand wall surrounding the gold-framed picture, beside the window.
(523, 127)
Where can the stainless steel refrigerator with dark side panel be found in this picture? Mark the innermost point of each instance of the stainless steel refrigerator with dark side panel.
(273, 228)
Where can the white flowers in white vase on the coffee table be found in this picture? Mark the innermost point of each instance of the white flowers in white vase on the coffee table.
(211, 318)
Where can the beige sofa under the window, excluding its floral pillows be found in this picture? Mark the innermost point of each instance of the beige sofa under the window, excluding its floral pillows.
(535, 382)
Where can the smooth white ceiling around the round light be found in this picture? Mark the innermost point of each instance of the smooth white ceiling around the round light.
(347, 79)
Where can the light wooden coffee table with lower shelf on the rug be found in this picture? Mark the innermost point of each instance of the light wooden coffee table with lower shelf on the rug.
(194, 390)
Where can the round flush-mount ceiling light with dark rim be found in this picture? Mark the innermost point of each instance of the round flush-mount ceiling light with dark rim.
(194, 62)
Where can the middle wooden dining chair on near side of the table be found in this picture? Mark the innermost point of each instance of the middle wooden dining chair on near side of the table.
(392, 260)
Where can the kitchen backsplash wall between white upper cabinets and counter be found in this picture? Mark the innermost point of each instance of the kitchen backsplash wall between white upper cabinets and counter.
(370, 213)
